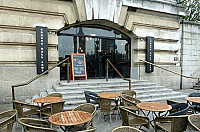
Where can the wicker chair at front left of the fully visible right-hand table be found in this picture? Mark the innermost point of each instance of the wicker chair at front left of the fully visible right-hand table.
(129, 118)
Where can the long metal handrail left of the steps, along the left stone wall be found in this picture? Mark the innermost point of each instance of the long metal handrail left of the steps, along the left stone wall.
(38, 76)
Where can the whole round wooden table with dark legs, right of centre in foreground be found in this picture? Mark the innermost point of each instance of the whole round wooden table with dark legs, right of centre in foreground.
(153, 107)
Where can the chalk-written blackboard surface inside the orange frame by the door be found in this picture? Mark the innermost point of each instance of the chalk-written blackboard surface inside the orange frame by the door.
(78, 64)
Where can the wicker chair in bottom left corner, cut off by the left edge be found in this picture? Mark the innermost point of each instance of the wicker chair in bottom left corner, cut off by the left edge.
(7, 118)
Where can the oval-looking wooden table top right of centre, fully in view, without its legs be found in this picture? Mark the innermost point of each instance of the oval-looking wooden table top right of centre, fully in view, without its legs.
(154, 106)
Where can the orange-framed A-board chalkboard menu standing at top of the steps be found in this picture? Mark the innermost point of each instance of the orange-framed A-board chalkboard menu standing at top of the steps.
(78, 65)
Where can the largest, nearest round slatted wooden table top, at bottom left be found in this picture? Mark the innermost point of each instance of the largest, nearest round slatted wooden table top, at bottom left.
(70, 118)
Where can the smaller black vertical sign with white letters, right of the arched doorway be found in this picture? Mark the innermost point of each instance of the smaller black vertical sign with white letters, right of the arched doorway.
(149, 54)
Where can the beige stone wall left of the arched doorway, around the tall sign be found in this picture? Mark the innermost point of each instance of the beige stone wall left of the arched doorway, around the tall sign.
(18, 19)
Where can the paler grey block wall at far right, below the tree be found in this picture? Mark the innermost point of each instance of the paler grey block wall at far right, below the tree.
(190, 52)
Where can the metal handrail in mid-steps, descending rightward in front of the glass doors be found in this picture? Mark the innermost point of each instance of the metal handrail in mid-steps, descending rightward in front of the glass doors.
(129, 80)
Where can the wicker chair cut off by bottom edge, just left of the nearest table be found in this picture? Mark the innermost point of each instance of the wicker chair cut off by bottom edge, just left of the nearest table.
(35, 125)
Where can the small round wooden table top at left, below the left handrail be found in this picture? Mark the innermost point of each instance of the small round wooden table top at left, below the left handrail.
(47, 99)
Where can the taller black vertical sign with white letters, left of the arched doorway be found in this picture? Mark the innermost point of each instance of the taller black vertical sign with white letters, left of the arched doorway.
(41, 49)
